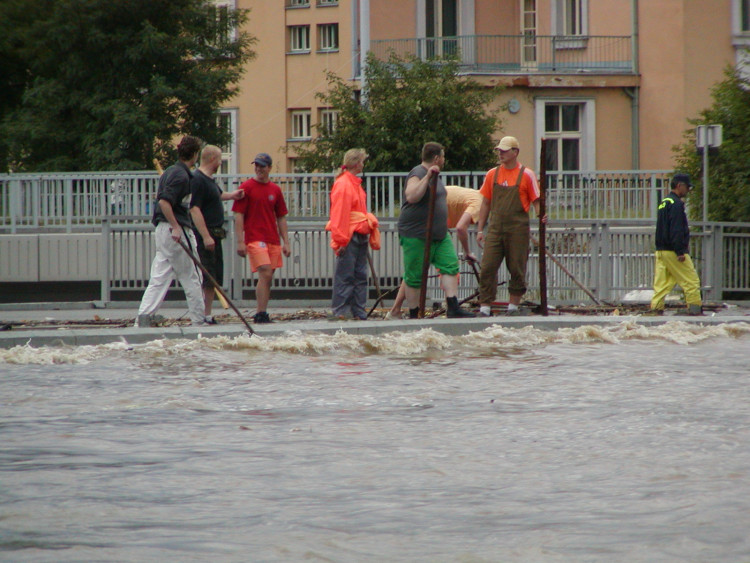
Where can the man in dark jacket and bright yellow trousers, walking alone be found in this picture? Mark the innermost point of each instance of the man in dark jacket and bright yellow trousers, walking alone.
(673, 264)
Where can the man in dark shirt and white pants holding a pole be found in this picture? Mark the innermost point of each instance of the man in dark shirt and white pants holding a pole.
(172, 220)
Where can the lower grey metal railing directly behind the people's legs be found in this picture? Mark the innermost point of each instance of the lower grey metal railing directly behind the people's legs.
(611, 258)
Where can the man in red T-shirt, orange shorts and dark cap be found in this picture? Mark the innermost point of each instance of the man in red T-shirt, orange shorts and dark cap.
(261, 227)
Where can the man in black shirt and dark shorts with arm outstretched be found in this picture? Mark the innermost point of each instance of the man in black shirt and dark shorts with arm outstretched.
(207, 211)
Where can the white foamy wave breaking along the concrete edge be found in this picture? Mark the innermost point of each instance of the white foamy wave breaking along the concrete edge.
(494, 339)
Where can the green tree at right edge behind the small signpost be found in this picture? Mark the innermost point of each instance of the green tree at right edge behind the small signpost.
(729, 166)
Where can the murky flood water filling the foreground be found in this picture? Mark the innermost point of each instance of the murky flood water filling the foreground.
(589, 444)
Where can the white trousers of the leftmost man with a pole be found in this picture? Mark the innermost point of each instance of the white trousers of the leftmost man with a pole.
(171, 261)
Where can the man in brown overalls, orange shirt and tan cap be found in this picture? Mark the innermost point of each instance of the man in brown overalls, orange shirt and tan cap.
(509, 190)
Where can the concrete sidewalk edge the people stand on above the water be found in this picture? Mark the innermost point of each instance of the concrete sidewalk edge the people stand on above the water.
(52, 335)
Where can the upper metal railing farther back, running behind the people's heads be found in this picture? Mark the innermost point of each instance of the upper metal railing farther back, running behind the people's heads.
(66, 202)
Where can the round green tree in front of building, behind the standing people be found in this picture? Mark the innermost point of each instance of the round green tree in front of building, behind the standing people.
(407, 103)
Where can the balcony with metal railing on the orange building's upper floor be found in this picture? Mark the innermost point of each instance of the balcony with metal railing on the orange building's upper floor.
(520, 54)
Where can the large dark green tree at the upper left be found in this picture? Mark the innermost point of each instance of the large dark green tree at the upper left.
(109, 84)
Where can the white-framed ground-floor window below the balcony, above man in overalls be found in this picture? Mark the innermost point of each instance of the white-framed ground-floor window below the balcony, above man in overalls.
(568, 126)
